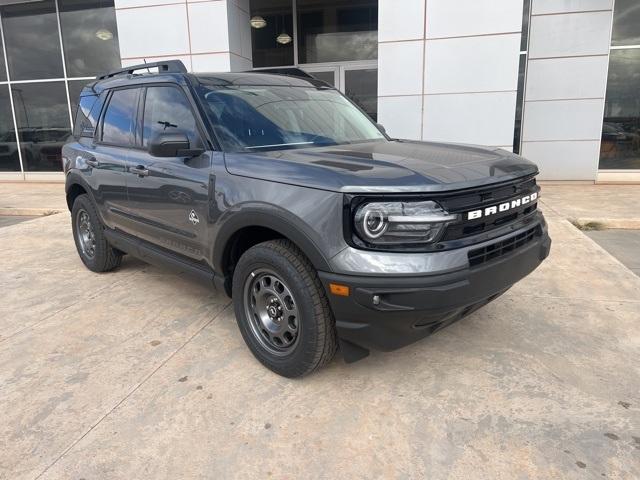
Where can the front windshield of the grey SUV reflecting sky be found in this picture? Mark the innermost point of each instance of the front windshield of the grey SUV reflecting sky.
(260, 118)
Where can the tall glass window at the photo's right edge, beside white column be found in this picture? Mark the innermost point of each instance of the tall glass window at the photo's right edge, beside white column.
(620, 144)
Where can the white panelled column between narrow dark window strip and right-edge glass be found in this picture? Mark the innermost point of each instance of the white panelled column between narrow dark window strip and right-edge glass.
(566, 84)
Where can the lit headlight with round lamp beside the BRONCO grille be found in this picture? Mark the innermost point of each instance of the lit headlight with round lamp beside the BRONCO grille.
(388, 223)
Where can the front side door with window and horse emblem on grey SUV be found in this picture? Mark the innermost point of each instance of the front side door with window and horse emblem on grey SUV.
(168, 197)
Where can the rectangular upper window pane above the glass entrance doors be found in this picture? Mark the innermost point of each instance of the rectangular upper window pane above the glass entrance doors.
(337, 30)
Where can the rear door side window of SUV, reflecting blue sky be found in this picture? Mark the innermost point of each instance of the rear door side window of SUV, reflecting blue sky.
(117, 126)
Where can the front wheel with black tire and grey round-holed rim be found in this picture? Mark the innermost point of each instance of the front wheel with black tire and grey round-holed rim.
(278, 270)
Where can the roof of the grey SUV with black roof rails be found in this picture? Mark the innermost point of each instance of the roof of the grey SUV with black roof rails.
(175, 72)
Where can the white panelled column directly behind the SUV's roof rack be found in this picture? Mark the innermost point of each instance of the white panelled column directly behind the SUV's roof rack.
(208, 36)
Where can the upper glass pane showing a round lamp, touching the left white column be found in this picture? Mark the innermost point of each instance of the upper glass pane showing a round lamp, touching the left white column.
(90, 36)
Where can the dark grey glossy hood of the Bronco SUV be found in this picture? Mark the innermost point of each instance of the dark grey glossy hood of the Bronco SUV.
(384, 167)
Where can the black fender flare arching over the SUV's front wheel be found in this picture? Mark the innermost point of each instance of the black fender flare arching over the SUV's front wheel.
(271, 219)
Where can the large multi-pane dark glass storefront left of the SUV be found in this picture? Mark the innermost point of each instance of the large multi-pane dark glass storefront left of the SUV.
(52, 49)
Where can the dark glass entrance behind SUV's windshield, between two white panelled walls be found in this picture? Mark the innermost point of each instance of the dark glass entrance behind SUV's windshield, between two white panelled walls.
(334, 40)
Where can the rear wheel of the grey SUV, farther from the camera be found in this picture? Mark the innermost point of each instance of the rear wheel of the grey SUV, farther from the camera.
(93, 248)
